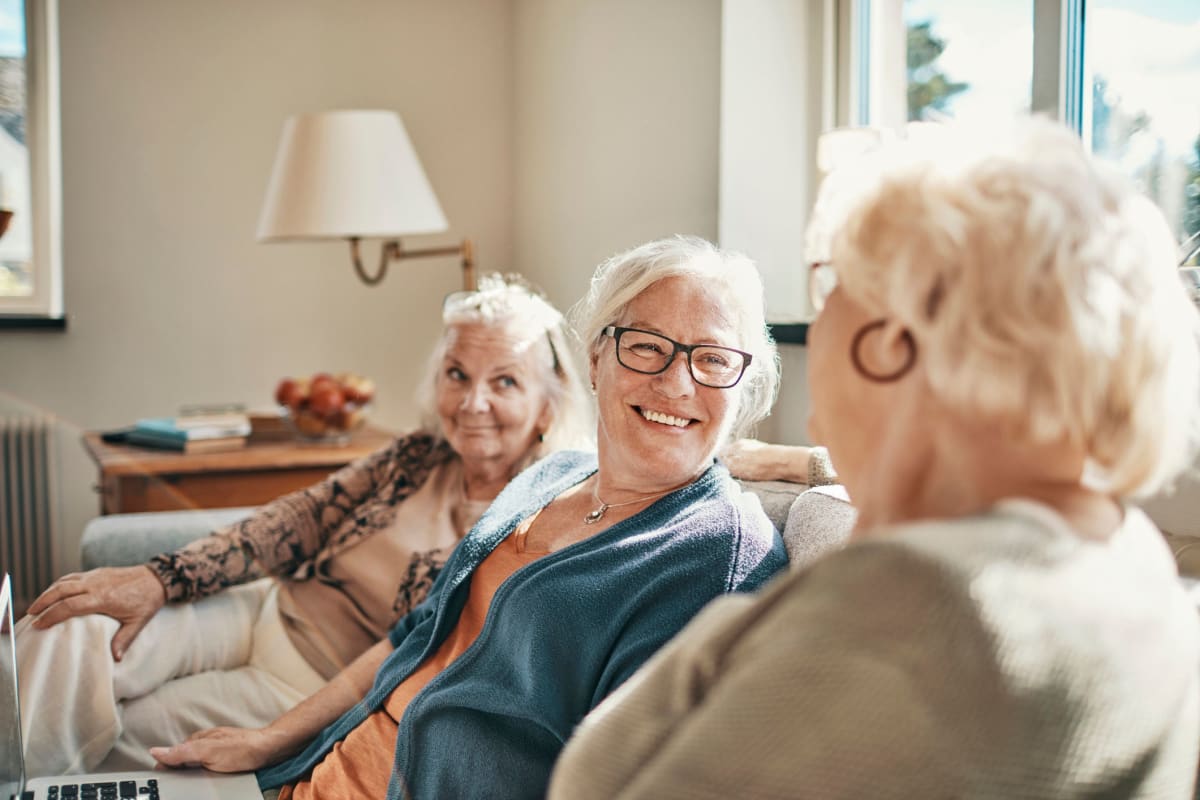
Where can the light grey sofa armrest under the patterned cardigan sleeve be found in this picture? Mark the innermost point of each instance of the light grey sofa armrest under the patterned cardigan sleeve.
(131, 539)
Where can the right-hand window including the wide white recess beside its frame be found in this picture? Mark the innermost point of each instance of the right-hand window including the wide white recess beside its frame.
(793, 69)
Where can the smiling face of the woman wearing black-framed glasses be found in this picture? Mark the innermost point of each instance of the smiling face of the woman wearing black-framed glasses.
(662, 431)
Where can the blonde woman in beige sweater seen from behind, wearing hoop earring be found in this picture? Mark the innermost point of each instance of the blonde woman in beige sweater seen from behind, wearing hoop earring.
(1006, 360)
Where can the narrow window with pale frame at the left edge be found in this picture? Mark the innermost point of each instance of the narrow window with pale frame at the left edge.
(31, 251)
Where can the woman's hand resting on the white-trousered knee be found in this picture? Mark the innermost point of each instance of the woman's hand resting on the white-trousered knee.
(131, 596)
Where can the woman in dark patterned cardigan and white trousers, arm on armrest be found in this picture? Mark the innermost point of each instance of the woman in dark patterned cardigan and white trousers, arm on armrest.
(349, 557)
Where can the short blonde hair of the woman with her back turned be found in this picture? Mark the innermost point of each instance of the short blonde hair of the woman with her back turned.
(1041, 287)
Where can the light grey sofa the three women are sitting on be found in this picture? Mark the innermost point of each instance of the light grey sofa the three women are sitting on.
(812, 521)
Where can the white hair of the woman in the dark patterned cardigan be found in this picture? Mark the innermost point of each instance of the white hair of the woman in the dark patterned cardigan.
(506, 300)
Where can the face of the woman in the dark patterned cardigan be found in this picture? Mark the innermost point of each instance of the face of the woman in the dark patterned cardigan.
(491, 398)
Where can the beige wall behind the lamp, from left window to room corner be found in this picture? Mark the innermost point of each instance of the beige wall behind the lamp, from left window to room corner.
(171, 116)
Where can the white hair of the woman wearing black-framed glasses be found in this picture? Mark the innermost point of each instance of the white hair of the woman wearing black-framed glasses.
(622, 279)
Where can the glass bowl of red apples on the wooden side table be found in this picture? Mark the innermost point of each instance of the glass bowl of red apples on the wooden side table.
(323, 407)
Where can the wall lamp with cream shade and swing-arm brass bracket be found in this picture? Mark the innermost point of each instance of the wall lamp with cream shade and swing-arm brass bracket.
(355, 176)
